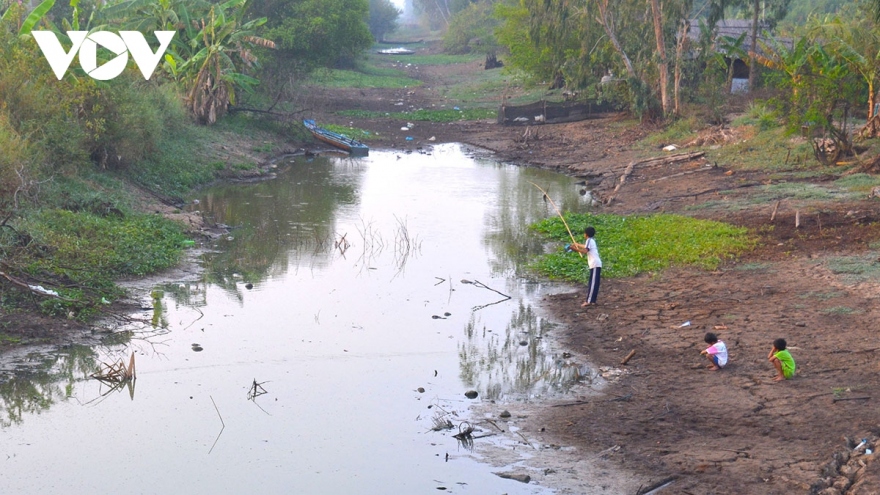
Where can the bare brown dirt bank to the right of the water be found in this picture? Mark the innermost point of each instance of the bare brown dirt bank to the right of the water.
(733, 431)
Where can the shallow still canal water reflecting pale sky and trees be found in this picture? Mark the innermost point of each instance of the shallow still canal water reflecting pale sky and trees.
(332, 329)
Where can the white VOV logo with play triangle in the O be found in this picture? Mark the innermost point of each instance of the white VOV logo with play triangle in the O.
(86, 44)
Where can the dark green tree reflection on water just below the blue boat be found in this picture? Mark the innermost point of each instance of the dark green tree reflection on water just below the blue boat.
(277, 224)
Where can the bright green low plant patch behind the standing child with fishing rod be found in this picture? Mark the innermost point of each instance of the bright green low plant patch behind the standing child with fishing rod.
(632, 245)
